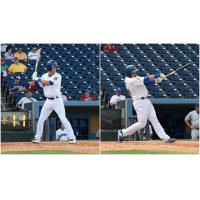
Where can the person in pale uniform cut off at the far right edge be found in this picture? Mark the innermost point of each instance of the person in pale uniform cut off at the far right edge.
(192, 121)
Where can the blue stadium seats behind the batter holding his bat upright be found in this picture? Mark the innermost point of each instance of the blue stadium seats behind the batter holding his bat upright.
(74, 60)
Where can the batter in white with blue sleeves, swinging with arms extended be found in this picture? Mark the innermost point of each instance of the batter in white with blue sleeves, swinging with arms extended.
(136, 86)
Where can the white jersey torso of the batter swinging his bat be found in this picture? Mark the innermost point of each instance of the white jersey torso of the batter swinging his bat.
(136, 87)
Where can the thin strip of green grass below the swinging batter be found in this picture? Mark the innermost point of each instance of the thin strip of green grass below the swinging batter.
(143, 152)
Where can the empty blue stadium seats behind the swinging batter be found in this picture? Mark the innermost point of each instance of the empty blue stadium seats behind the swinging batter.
(149, 58)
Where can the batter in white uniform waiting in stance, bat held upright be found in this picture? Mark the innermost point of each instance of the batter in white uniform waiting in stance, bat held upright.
(51, 84)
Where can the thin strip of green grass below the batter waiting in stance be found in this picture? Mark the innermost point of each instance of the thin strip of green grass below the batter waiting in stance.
(41, 152)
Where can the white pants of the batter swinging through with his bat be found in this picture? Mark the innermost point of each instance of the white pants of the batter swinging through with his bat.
(145, 111)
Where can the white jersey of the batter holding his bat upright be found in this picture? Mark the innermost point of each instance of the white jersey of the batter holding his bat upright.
(52, 90)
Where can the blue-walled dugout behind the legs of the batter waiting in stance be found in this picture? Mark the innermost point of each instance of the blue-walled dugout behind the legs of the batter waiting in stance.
(84, 117)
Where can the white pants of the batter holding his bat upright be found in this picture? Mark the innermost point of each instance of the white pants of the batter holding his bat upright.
(49, 106)
